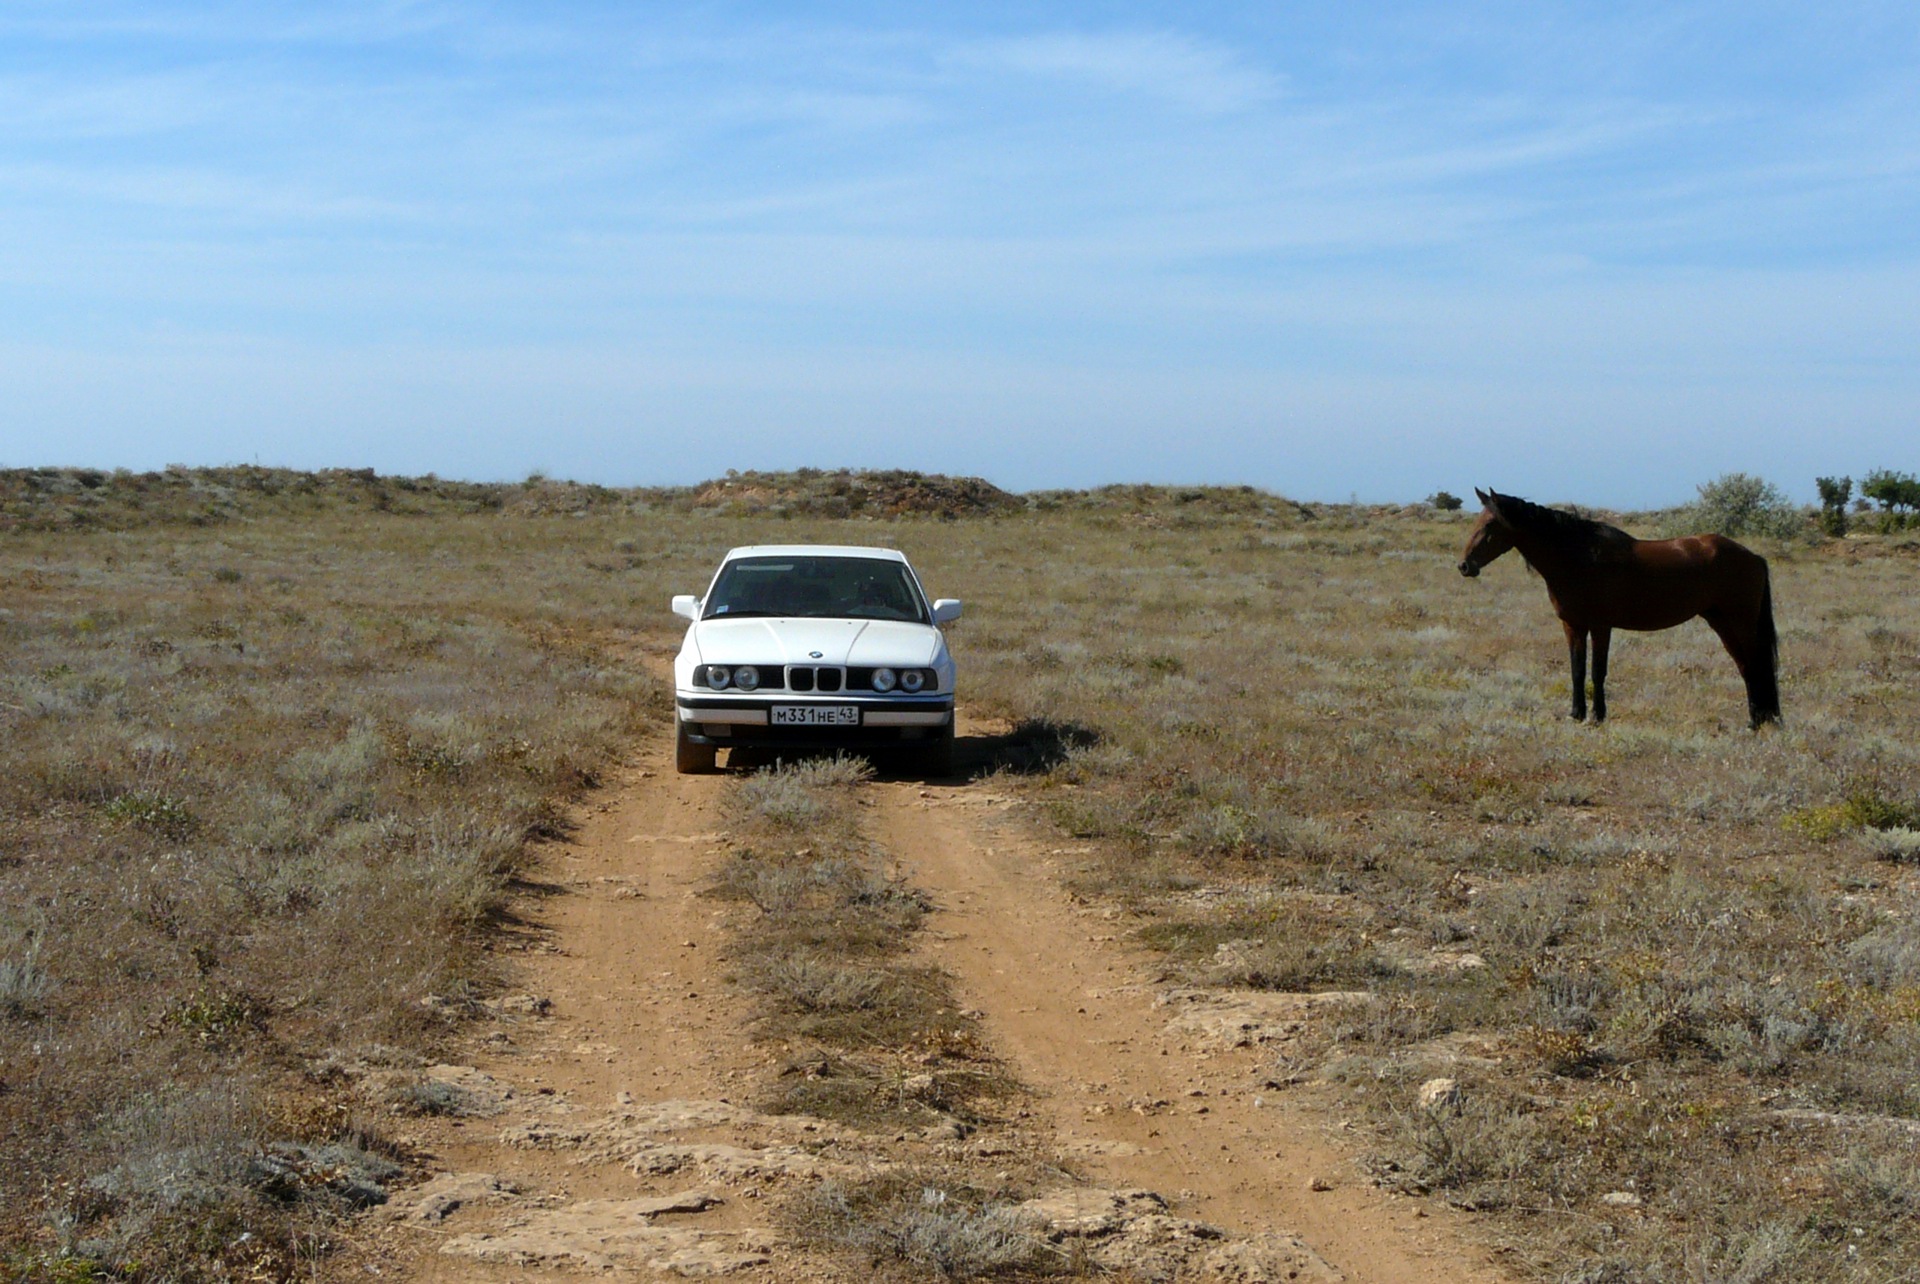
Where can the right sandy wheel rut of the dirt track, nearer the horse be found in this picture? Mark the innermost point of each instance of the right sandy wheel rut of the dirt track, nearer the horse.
(1132, 1101)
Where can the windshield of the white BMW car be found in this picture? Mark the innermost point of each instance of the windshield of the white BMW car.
(817, 588)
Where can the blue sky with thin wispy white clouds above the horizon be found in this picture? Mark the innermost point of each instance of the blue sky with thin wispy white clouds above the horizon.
(1595, 252)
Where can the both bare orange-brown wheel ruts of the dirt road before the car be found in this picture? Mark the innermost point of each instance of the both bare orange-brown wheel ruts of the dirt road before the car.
(606, 1122)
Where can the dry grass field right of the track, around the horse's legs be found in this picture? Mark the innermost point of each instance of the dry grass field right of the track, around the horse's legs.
(1326, 761)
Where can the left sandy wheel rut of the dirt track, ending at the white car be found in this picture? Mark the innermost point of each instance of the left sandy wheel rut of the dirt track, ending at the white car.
(631, 1011)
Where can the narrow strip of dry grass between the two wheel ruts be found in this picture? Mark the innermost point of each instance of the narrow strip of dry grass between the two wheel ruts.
(876, 1041)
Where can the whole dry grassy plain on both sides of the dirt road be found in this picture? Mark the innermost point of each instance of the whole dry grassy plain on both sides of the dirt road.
(274, 751)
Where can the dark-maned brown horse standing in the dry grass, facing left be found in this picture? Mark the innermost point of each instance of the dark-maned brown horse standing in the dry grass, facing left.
(1600, 579)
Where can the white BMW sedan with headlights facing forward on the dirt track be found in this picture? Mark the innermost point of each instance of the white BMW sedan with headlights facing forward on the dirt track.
(815, 646)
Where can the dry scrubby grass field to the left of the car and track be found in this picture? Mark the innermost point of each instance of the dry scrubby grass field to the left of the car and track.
(264, 794)
